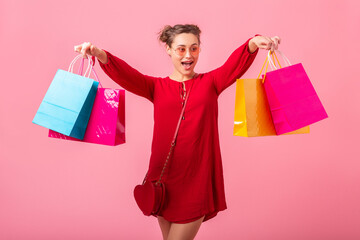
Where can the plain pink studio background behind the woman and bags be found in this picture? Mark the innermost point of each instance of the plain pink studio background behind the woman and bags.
(289, 187)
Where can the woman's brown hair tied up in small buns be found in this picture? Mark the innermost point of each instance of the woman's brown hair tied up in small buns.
(168, 33)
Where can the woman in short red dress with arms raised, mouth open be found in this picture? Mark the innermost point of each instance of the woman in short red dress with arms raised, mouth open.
(194, 176)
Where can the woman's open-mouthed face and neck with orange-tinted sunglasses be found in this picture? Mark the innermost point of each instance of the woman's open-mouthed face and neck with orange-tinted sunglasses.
(184, 54)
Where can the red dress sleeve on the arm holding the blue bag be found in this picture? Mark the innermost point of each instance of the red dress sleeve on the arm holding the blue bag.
(128, 77)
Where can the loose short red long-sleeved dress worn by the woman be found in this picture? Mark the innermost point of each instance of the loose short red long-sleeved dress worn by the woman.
(194, 174)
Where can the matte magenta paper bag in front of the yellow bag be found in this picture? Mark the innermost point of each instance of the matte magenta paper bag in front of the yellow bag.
(292, 98)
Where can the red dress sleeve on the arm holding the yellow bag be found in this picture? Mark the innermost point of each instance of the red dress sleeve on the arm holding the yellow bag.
(234, 67)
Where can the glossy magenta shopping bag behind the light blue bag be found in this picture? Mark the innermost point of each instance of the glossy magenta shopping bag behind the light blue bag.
(107, 120)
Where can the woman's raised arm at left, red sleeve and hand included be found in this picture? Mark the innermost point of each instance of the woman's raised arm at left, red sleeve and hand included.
(120, 72)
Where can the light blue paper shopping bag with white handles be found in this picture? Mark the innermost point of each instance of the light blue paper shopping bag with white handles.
(67, 104)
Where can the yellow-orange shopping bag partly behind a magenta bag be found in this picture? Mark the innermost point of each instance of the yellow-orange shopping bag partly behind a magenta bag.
(252, 114)
